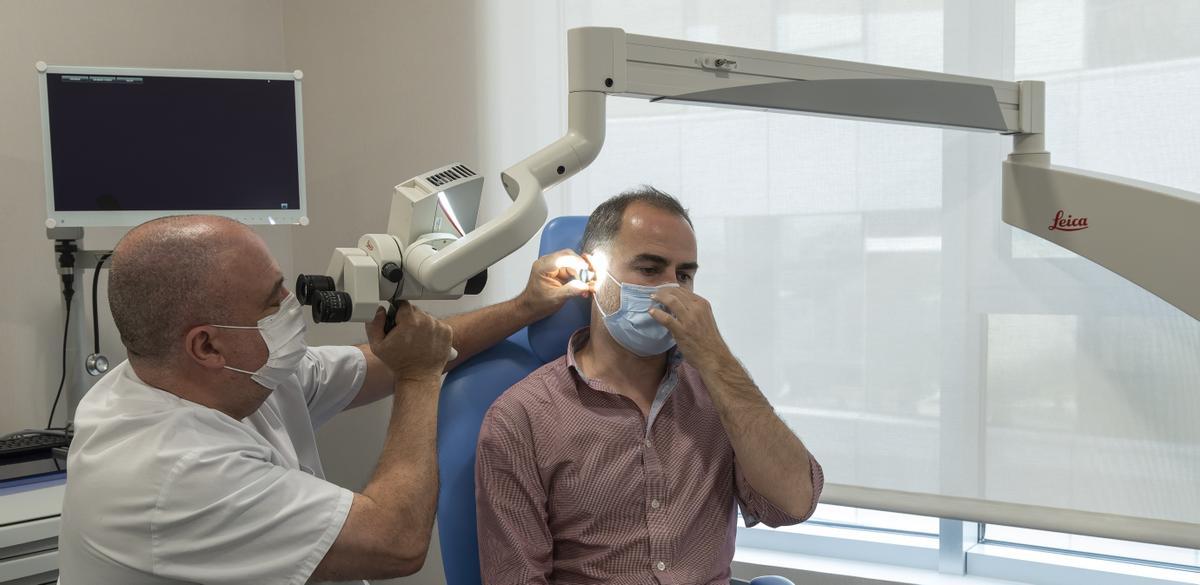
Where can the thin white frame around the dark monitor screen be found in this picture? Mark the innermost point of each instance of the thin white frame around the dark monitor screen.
(56, 219)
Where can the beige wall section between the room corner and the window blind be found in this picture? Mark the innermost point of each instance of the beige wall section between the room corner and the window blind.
(391, 92)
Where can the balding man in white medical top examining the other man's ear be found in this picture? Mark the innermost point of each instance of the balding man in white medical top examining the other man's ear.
(196, 460)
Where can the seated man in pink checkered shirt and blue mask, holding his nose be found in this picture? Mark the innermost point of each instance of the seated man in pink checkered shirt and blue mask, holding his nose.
(622, 462)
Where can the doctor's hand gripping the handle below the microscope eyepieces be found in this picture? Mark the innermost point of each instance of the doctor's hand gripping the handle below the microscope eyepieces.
(417, 348)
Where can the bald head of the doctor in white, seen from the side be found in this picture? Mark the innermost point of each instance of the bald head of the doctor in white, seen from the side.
(172, 274)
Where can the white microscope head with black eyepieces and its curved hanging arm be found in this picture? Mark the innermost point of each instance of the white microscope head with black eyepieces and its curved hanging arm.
(433, 249)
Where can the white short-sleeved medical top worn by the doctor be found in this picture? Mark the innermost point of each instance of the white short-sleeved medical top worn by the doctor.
(163, 491)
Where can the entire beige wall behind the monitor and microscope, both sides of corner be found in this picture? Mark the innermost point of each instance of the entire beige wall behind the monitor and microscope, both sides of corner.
(389, 93)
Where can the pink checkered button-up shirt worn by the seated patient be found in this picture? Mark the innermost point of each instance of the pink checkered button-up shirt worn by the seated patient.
(573, 486)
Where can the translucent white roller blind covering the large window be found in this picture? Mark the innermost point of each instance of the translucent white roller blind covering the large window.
(934, 359)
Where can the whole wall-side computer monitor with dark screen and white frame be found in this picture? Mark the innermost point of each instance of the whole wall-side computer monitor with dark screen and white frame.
(128, 146)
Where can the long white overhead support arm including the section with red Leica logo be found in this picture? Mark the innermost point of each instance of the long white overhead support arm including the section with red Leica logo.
(1139, 231)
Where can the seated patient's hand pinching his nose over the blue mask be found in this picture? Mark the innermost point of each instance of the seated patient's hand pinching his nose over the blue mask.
(689, 318)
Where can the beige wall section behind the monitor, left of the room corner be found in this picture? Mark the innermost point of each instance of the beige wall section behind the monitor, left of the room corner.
(225, 34)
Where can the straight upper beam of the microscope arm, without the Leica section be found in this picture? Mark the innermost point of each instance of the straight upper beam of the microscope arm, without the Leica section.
(685, 71)
